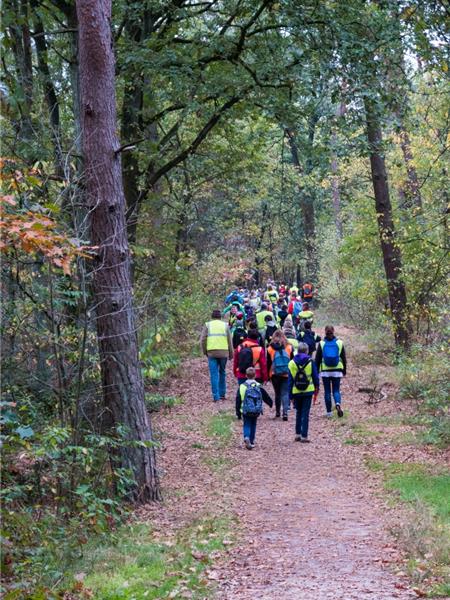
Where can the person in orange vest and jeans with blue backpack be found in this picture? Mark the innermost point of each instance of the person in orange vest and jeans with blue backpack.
(279, 353)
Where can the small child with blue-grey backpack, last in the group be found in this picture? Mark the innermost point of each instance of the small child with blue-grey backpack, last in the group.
(249, 398)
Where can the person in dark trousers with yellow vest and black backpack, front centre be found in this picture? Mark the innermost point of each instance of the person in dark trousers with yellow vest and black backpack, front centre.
(303, 384)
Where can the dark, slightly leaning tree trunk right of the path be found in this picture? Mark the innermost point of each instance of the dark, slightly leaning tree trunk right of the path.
(391, 252)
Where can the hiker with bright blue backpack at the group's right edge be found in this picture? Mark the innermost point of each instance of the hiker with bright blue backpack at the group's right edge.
(332, 364)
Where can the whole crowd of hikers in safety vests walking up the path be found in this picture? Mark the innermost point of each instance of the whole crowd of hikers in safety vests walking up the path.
(269, 336)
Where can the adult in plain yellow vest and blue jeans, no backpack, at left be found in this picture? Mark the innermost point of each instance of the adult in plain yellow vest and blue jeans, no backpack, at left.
(216, 343)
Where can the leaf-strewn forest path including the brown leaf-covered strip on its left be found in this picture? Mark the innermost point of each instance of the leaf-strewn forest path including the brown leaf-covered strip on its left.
(311, 524)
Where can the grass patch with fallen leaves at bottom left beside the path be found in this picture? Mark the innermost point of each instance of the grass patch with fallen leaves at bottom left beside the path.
(139, 563)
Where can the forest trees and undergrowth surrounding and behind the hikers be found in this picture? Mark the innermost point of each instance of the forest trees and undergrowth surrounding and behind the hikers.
(158, 152)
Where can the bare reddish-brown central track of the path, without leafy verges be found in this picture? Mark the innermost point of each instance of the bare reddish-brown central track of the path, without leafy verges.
(312, 526)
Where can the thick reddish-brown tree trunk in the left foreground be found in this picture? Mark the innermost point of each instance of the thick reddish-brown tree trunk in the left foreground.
(123, 388)
